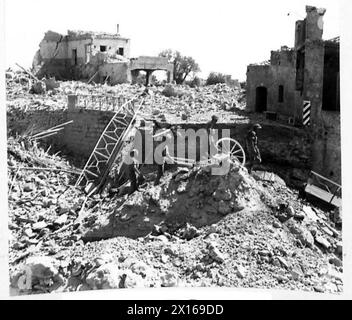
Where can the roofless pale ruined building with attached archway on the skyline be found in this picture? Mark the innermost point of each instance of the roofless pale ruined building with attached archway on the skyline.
(99, 57)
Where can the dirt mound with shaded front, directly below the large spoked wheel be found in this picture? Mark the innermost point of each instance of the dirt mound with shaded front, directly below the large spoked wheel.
(195, 196)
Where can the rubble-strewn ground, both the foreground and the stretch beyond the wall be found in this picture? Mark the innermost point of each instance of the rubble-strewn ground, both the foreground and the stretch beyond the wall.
(193, 229)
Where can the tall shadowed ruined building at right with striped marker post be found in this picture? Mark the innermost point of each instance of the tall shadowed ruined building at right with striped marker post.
(300, 86)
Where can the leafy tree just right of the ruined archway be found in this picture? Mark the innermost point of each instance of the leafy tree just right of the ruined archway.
(183, 65)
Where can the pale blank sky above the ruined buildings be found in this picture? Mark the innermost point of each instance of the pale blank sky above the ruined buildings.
(222, 36)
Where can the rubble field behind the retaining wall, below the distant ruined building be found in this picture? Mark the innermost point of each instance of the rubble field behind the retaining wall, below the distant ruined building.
(191, 104)
